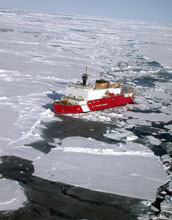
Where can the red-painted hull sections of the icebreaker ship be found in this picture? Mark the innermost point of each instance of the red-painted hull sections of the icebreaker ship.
(94, 105)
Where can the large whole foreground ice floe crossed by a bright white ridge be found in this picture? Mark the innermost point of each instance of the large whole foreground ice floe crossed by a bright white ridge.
(103, 167)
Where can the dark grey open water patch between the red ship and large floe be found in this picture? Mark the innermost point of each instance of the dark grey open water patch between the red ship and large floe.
(70, 127)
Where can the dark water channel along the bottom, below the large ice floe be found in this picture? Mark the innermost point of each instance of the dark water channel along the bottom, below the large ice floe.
(53, 200)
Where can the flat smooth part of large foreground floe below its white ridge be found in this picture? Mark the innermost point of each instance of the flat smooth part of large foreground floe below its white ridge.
(127, 175)
